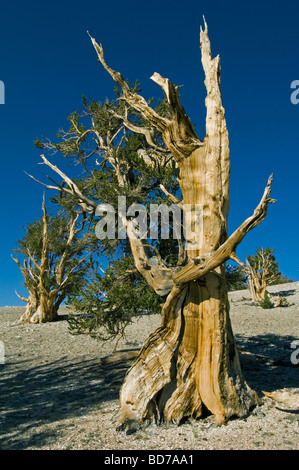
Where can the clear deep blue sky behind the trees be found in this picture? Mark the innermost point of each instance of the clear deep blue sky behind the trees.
(48, 63)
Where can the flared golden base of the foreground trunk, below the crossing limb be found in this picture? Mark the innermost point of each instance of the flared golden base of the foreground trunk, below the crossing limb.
(190, 364)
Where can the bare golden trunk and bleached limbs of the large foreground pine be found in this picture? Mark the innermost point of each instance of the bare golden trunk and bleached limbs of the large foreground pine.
(190, 363)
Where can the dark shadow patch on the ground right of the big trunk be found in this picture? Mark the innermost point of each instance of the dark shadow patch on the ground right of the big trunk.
(269, 366)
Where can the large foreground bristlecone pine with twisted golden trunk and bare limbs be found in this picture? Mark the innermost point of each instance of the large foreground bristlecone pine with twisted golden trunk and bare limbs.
(190, 363)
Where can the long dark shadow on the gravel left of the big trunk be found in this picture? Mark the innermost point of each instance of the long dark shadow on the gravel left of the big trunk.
(37, 395)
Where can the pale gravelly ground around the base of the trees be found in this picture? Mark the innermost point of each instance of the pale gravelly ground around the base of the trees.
(59, 391)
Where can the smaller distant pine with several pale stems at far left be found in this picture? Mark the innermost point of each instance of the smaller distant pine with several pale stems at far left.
(53, 265)
